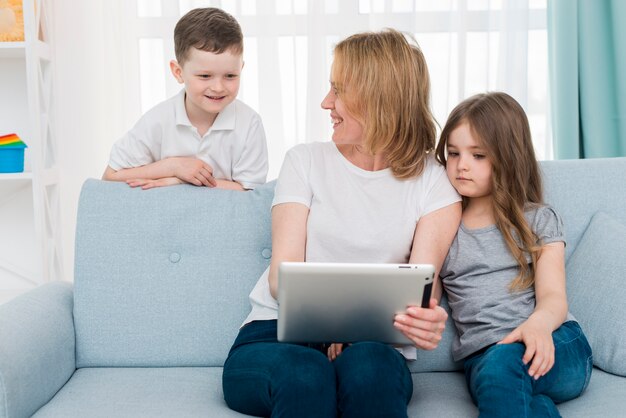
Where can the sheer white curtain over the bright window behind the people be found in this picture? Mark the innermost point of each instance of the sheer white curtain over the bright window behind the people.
(471, 46)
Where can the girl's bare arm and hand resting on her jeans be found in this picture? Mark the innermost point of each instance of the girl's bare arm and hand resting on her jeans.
(550, 311)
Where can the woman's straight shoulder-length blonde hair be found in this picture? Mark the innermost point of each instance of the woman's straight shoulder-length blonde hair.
(383, 80)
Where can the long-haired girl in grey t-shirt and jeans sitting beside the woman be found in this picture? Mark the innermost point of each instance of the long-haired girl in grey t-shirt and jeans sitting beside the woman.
(505, 274)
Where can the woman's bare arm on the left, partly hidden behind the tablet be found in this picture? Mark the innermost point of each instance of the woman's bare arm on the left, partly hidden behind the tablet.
(288, 238)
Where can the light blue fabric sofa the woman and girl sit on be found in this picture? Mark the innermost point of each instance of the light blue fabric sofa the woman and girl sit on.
(161, 284)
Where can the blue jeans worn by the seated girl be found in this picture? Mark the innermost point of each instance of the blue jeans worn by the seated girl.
(500, 384)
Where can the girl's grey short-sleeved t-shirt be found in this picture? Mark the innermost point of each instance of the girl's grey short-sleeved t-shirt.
(476, 275)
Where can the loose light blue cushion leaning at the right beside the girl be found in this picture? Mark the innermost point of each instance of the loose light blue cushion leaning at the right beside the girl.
(596, 290)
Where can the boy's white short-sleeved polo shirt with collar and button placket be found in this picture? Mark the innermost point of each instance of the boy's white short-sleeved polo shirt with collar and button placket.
(234, 146)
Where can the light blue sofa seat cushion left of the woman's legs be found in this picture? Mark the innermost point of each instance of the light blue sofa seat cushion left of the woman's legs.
(140, 392)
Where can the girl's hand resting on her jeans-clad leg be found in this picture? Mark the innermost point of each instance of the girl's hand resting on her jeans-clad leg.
(539, 346)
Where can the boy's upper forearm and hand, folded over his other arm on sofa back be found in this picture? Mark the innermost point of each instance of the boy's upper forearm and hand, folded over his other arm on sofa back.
(188, 169)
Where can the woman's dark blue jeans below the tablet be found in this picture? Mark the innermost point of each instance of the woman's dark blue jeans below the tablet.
(264, 377)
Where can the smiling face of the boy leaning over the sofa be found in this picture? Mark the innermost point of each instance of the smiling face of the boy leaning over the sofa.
(211, 82)
